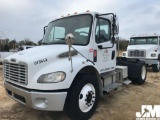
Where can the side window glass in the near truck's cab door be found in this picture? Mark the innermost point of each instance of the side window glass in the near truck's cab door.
(102, 31)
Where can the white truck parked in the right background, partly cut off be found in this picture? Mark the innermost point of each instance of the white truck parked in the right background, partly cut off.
(145, 48)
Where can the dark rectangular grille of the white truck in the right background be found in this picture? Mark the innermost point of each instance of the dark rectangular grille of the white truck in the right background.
(137, 53)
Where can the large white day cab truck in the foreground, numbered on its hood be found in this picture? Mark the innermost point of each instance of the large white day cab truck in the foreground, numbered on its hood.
(73, 67)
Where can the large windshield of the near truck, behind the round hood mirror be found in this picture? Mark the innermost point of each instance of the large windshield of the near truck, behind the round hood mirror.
(79, 26)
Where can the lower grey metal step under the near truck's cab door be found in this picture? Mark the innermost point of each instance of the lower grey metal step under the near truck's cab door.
(111, 87)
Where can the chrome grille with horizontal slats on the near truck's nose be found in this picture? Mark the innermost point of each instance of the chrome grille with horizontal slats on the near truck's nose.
(15, 73)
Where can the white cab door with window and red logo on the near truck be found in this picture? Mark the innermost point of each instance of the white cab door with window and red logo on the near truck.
(104, 49)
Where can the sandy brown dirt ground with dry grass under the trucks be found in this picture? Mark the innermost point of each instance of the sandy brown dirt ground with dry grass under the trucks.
(120, 104)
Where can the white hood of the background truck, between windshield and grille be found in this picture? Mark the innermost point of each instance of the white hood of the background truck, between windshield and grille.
(142, 47)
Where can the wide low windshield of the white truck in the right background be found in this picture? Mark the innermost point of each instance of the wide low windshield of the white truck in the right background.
(143, 41)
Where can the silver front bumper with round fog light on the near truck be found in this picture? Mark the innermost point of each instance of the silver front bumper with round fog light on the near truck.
(50, 101)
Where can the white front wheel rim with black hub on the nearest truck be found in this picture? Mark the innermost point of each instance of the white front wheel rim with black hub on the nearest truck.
(87, 97)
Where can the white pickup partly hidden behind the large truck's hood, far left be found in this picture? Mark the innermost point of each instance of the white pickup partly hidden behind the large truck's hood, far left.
(6, 54)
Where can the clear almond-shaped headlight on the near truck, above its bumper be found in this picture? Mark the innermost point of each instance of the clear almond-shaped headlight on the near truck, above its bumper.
(52, 77)
